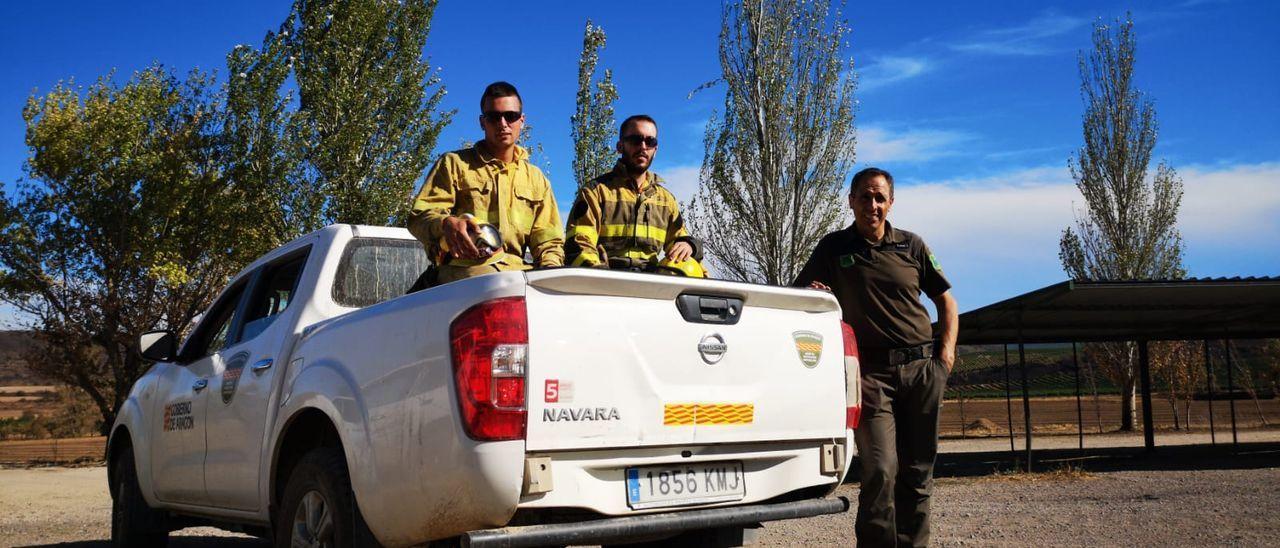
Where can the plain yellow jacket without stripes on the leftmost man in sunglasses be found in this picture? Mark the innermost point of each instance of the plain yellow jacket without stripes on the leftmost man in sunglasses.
(516, 198)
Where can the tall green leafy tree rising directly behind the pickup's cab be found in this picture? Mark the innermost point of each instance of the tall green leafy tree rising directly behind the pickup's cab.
(367, 122)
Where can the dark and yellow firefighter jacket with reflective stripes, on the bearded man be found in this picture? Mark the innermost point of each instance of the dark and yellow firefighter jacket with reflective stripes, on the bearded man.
(612, 226)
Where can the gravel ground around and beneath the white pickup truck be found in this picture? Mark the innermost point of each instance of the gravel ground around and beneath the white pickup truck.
(1194, 496)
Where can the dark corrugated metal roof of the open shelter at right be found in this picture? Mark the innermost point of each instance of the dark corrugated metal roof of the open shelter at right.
(1142, 310)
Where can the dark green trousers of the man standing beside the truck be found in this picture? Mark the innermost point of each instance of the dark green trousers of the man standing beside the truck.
(898, 441)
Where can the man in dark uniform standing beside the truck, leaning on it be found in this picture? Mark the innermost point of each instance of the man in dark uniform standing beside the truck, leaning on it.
(877, 273)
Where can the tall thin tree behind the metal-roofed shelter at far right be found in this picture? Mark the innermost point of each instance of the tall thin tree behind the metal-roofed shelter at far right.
(1128, 230)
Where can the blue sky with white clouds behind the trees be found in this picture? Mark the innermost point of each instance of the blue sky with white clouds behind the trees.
(973, 107)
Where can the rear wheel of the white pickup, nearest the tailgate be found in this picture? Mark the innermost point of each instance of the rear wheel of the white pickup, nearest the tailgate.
(319, 508)
